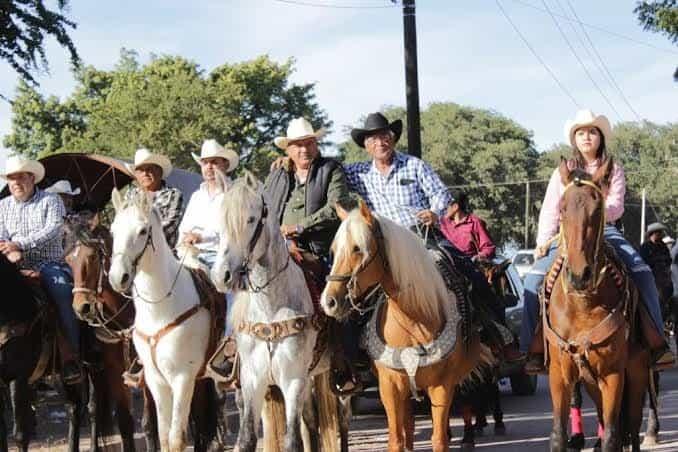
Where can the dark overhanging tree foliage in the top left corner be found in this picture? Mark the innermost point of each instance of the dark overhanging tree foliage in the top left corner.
(24, 24)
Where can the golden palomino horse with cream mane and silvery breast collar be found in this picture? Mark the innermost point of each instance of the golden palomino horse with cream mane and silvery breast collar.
(412, 337)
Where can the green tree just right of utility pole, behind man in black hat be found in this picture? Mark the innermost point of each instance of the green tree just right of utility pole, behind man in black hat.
(474, 148)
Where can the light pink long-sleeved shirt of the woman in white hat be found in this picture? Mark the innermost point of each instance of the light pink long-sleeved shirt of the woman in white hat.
(549, 217)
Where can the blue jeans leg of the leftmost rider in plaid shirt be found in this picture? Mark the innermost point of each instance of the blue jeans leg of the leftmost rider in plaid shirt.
(58, 283)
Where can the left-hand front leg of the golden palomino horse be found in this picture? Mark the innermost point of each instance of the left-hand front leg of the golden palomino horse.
(394, 400)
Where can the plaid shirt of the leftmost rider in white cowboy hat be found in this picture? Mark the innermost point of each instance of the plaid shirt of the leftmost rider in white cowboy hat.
(35, 225)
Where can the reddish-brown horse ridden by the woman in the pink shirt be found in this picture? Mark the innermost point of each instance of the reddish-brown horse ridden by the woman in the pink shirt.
(584, 324)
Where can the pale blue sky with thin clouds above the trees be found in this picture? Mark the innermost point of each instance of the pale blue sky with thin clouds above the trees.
(468, 53)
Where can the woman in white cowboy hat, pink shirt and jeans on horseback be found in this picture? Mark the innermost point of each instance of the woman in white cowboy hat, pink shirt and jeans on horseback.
(587, 134)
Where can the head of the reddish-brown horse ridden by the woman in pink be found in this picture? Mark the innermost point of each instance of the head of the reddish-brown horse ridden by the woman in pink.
(582, 216)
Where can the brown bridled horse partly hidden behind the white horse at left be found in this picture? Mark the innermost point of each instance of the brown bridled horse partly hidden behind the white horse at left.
(95, 302)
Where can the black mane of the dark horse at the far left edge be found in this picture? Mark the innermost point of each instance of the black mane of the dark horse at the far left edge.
(21, 304)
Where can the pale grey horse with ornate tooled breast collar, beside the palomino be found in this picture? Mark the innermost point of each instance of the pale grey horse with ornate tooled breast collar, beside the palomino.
(275, 325)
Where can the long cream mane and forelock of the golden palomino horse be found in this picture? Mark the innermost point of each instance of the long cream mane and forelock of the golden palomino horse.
(422, 291)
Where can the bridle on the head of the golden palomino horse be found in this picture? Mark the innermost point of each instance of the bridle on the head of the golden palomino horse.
(358, 302)
